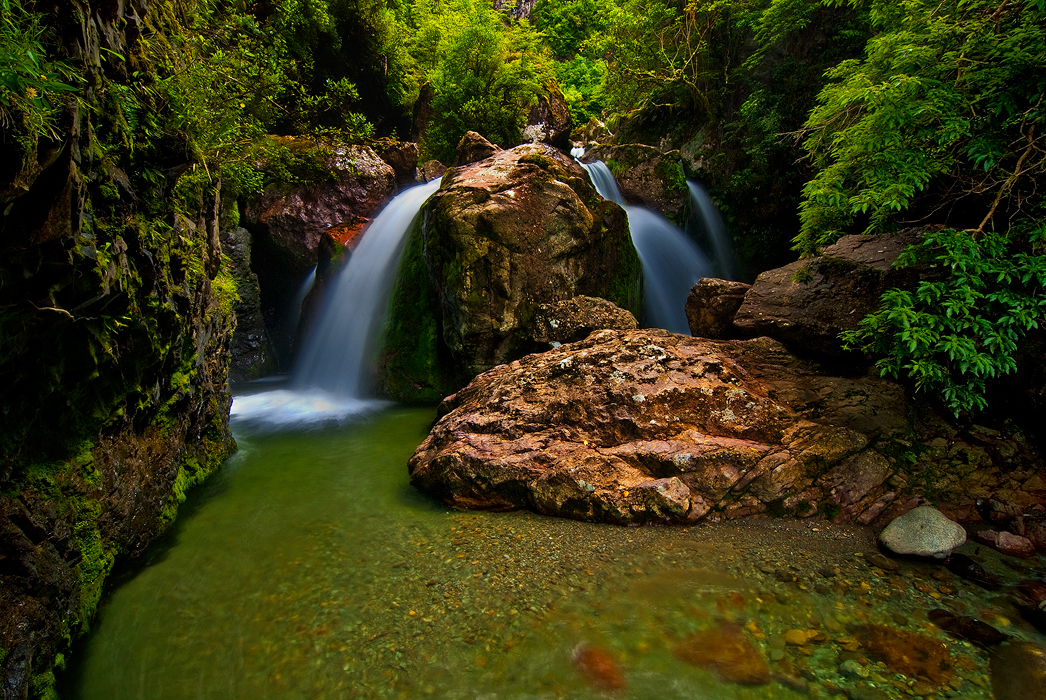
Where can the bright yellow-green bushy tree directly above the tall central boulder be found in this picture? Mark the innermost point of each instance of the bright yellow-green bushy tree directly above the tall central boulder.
(485, 73)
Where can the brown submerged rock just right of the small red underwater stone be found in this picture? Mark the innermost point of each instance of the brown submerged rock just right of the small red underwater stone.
(727, 652)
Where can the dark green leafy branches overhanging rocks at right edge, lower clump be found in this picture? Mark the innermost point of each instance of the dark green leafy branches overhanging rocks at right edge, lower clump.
(954, 334)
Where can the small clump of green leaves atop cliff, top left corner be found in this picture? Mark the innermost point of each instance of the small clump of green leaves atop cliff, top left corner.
(33, 85)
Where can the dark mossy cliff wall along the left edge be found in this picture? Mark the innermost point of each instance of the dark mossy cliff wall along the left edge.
(116, 317)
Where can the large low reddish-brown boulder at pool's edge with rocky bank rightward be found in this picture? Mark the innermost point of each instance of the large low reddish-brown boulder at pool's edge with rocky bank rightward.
(647, 426)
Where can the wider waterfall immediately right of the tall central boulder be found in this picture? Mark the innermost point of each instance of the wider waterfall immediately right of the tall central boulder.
(672, 262)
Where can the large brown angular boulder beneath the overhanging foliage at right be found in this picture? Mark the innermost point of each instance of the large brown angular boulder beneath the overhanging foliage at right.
(806, 305)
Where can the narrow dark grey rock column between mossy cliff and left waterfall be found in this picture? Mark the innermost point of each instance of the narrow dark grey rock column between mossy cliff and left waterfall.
(252, 356)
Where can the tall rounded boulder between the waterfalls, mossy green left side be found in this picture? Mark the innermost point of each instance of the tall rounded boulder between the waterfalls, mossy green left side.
(501, 238)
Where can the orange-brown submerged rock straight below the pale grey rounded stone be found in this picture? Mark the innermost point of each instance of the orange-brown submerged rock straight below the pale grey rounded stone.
(916, 656)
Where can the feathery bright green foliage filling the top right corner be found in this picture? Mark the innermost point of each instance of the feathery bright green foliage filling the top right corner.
(949, 99)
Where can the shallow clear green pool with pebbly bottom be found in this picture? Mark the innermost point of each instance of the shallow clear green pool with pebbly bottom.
(310, 569)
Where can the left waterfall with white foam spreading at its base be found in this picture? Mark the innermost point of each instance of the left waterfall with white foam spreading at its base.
(333, 373)
